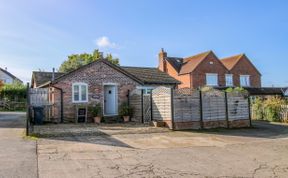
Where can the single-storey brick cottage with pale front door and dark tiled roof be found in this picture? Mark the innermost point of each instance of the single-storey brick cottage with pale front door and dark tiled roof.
(98, 82)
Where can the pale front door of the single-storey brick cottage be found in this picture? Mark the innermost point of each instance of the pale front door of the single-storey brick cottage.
(110, 100)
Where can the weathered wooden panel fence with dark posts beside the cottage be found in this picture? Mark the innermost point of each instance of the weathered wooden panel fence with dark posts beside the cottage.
(192, 109)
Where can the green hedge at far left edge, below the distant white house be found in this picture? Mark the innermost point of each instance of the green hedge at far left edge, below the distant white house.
(13, 92)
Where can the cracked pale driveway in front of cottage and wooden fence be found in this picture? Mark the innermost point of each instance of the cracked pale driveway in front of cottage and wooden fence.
(258, 152)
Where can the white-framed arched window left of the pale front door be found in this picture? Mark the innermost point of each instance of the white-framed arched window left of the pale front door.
(80, 92)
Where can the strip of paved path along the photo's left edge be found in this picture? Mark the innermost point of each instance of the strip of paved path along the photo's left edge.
(17, 155)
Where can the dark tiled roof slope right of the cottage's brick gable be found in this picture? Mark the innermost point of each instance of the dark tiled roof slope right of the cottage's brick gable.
(150, 75)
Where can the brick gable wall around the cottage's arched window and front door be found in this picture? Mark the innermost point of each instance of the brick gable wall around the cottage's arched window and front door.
(95, 76)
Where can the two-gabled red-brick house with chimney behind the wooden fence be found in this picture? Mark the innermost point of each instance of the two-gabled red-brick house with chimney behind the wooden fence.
(206, 69)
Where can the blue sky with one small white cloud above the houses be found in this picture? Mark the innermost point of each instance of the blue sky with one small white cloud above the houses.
(39, 35)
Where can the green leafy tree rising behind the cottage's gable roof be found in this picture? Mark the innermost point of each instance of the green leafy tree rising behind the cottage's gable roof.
(75, 61)
